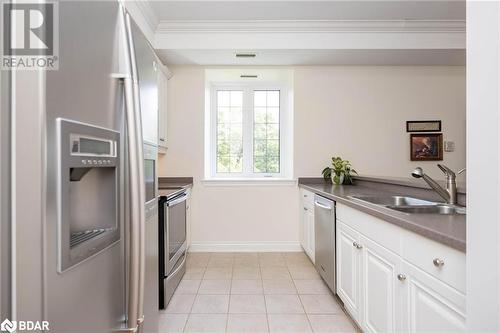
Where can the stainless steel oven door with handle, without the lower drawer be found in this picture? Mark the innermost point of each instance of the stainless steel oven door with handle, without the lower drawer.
(175, 231)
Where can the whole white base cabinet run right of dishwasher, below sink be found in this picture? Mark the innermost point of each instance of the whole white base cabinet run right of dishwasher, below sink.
(392, 285)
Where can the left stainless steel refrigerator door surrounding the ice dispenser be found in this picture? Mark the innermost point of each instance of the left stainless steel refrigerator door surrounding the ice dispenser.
(89, 296)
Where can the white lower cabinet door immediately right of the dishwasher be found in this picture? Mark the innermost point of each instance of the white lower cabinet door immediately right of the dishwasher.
(348, 269)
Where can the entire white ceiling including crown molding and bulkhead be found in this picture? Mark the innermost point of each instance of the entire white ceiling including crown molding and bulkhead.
(283, 32)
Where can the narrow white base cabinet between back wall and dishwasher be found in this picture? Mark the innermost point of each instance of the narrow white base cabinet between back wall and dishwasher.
(307, 223)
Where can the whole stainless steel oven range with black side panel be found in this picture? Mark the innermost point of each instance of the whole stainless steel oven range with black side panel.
(172, 241)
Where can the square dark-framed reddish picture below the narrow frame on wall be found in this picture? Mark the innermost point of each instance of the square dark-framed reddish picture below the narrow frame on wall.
(426, 147)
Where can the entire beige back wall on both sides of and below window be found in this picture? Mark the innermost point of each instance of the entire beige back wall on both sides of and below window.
(356, 112)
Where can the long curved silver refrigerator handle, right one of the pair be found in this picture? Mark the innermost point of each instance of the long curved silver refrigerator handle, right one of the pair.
(139, 161)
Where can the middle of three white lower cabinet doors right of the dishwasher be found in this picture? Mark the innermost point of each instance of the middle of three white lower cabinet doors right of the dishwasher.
(381, 288)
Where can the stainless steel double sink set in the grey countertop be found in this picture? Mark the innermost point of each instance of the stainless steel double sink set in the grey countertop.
(411, 205)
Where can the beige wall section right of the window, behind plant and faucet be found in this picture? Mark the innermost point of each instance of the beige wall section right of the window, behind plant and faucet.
(360, 113)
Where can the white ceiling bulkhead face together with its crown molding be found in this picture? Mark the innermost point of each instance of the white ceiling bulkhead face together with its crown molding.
(321, 34)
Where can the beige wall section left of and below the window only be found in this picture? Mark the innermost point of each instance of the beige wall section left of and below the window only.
(262, 216)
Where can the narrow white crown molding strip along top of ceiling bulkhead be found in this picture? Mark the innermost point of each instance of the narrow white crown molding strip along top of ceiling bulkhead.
(310, 26)
